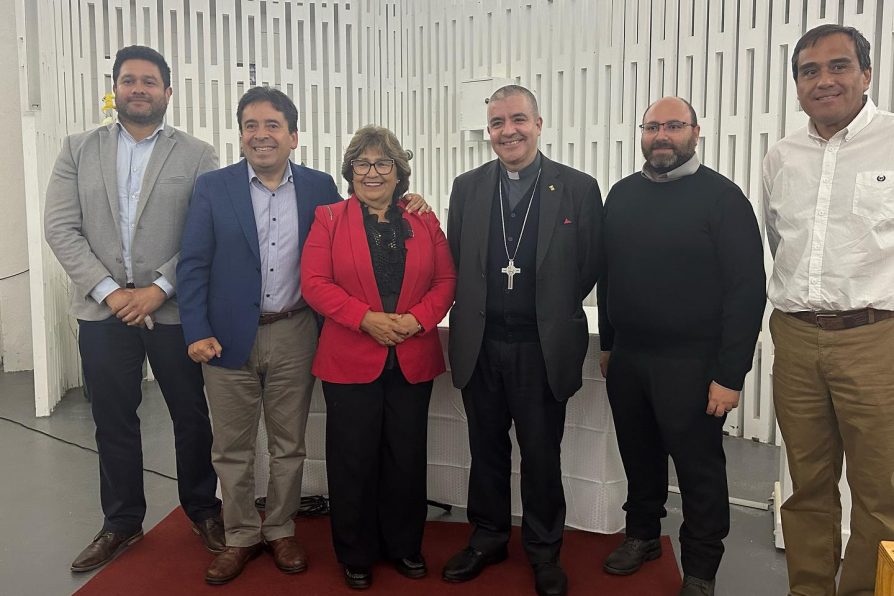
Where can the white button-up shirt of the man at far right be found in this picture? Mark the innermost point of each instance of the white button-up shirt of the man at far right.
(829, 216)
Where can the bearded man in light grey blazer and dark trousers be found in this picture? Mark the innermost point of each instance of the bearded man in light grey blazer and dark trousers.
(115, 208)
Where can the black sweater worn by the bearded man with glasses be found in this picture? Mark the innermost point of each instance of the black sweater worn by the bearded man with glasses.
(685, 271)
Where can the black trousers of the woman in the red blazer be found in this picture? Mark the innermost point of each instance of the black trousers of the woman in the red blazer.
(376, 446)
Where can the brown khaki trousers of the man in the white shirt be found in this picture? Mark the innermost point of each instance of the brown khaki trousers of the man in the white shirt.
(834, 394)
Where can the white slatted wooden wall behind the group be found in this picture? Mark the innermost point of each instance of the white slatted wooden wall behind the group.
(595, 65)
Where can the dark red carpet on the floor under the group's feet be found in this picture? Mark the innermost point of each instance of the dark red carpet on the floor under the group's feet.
(170, 560)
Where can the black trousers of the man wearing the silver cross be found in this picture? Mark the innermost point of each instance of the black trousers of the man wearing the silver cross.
(509, 385)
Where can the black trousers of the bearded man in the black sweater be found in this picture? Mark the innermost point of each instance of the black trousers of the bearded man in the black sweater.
(658, 404)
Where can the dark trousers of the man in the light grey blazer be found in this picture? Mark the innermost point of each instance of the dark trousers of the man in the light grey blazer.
(112, 355)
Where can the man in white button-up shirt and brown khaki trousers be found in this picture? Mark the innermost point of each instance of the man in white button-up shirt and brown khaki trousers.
(829, 214)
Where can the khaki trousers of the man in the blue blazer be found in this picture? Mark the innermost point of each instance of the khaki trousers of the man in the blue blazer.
(276, 379)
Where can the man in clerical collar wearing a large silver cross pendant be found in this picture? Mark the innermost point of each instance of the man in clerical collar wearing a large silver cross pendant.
(525, 235)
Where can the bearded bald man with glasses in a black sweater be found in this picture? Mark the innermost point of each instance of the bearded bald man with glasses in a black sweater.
(680, 310)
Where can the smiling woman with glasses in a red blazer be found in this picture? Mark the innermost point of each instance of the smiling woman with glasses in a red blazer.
(383, 279)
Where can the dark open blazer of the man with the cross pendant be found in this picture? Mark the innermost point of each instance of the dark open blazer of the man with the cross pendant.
(568, 265)
